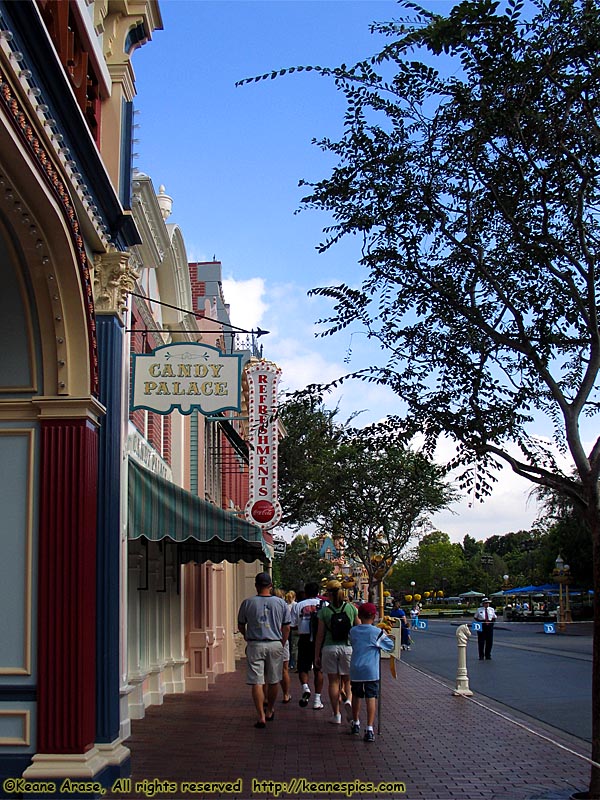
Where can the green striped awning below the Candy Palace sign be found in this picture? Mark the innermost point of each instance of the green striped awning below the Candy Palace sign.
(158, 509)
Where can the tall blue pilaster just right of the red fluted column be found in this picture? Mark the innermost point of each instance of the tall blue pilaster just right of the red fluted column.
(110, 355)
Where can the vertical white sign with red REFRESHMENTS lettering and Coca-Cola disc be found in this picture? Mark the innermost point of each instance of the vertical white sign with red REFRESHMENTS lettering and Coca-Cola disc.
(263, 507)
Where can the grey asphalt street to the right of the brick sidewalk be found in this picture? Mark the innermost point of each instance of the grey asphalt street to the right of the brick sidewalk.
(548, 677)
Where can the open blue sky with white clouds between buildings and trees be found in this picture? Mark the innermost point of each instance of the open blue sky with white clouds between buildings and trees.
(232, 158)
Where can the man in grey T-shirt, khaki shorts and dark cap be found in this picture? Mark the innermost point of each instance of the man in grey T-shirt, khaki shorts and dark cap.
(264, 622)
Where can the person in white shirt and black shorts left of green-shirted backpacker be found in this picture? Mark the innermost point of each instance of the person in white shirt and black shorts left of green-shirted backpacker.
(305, 617)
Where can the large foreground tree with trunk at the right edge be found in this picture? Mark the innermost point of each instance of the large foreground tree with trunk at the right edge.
(476, 197)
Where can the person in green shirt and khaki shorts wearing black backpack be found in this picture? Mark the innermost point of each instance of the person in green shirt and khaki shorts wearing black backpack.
(333, 650)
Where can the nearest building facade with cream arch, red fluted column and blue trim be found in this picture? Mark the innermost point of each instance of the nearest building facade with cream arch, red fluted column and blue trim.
(67, 89)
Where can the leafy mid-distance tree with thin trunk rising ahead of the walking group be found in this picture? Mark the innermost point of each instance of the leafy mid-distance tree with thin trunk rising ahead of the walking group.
(380, 499)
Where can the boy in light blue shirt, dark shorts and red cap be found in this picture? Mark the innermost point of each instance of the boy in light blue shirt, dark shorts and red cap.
(367, 641)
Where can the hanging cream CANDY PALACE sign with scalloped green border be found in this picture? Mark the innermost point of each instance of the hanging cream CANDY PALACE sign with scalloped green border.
(188, 377)
